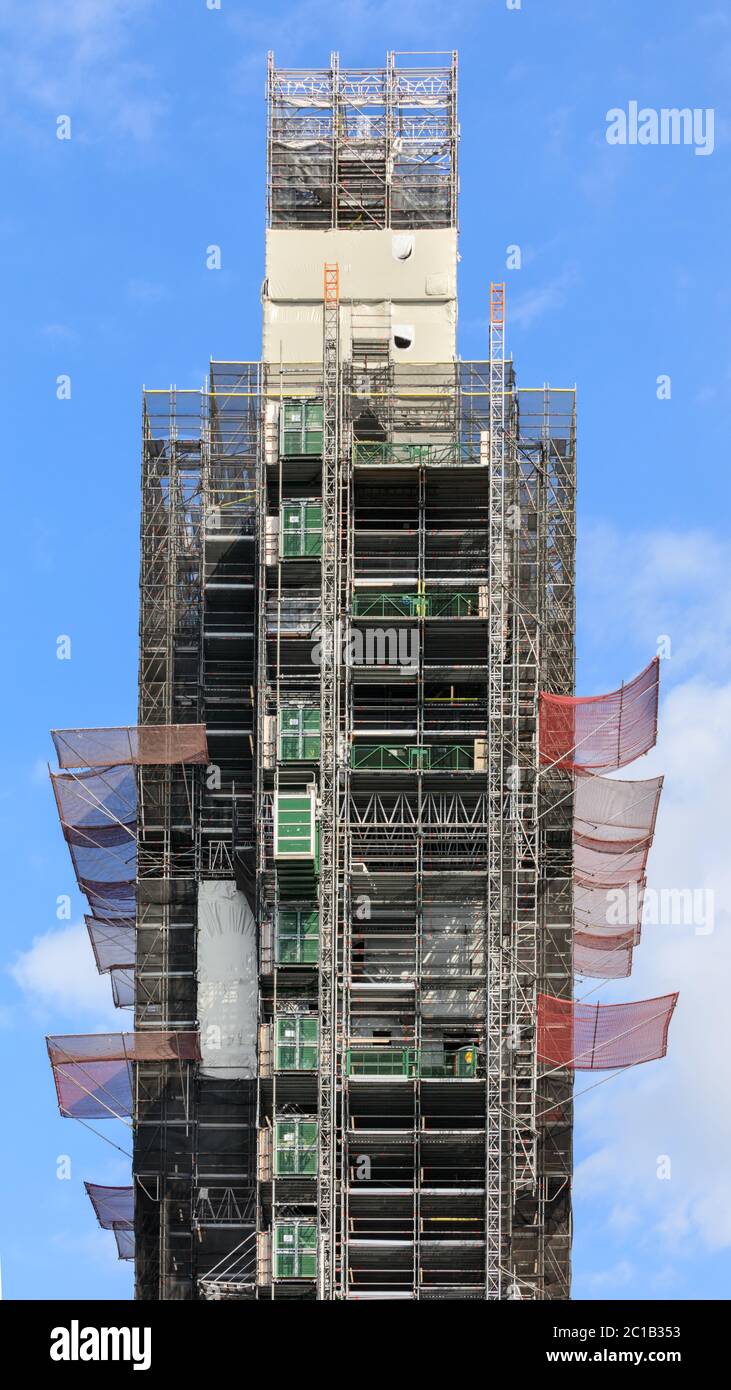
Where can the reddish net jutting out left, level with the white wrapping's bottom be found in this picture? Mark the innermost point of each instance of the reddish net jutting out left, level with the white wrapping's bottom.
(94, 1072)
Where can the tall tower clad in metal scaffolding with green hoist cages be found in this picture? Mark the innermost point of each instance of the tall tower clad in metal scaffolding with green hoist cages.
(358, 573)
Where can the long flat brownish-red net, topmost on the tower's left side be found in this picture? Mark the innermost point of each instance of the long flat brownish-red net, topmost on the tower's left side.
(140, 744)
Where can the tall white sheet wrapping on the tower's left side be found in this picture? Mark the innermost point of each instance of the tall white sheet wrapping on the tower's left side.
(227, 982)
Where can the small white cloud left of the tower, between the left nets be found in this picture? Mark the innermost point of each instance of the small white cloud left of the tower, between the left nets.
(58, 975)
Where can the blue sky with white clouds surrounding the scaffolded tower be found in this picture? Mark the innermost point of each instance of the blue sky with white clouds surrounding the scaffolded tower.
(625, 279)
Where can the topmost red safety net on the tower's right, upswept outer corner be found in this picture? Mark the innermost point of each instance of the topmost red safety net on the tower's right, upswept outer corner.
(601, 733)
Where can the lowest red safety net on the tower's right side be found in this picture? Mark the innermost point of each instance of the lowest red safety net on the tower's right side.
(594, 1038)
